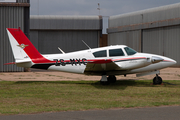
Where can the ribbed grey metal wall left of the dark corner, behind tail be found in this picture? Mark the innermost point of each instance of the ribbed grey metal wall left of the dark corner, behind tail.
(10, 17)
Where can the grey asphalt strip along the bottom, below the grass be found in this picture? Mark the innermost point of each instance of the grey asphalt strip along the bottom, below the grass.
(154, 113)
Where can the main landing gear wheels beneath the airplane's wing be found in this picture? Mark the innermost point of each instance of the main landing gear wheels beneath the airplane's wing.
(107, 80)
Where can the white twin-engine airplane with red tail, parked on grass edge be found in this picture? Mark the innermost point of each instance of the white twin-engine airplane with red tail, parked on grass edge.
(105, 61)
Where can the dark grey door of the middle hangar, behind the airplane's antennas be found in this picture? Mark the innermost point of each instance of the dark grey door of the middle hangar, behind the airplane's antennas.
(48, 41)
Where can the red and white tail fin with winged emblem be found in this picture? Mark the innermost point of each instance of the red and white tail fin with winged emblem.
(22, 48)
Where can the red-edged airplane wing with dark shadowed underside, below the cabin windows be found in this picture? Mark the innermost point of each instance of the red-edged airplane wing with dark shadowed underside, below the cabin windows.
(101, 65)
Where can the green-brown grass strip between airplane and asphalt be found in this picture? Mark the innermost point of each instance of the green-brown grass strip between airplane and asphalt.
(33, 97)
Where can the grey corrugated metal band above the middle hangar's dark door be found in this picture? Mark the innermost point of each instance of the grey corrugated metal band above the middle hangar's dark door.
(57, 22)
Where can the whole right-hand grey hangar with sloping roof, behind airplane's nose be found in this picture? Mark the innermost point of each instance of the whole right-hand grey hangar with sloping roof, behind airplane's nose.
(155, 30)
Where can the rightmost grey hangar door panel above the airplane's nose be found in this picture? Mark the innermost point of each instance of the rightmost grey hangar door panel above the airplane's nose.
(163, 41)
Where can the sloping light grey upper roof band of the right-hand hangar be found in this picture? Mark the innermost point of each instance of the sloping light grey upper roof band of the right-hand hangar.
(146, 16)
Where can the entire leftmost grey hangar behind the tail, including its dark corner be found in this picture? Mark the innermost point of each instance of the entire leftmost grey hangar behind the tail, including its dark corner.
(13, 14)
